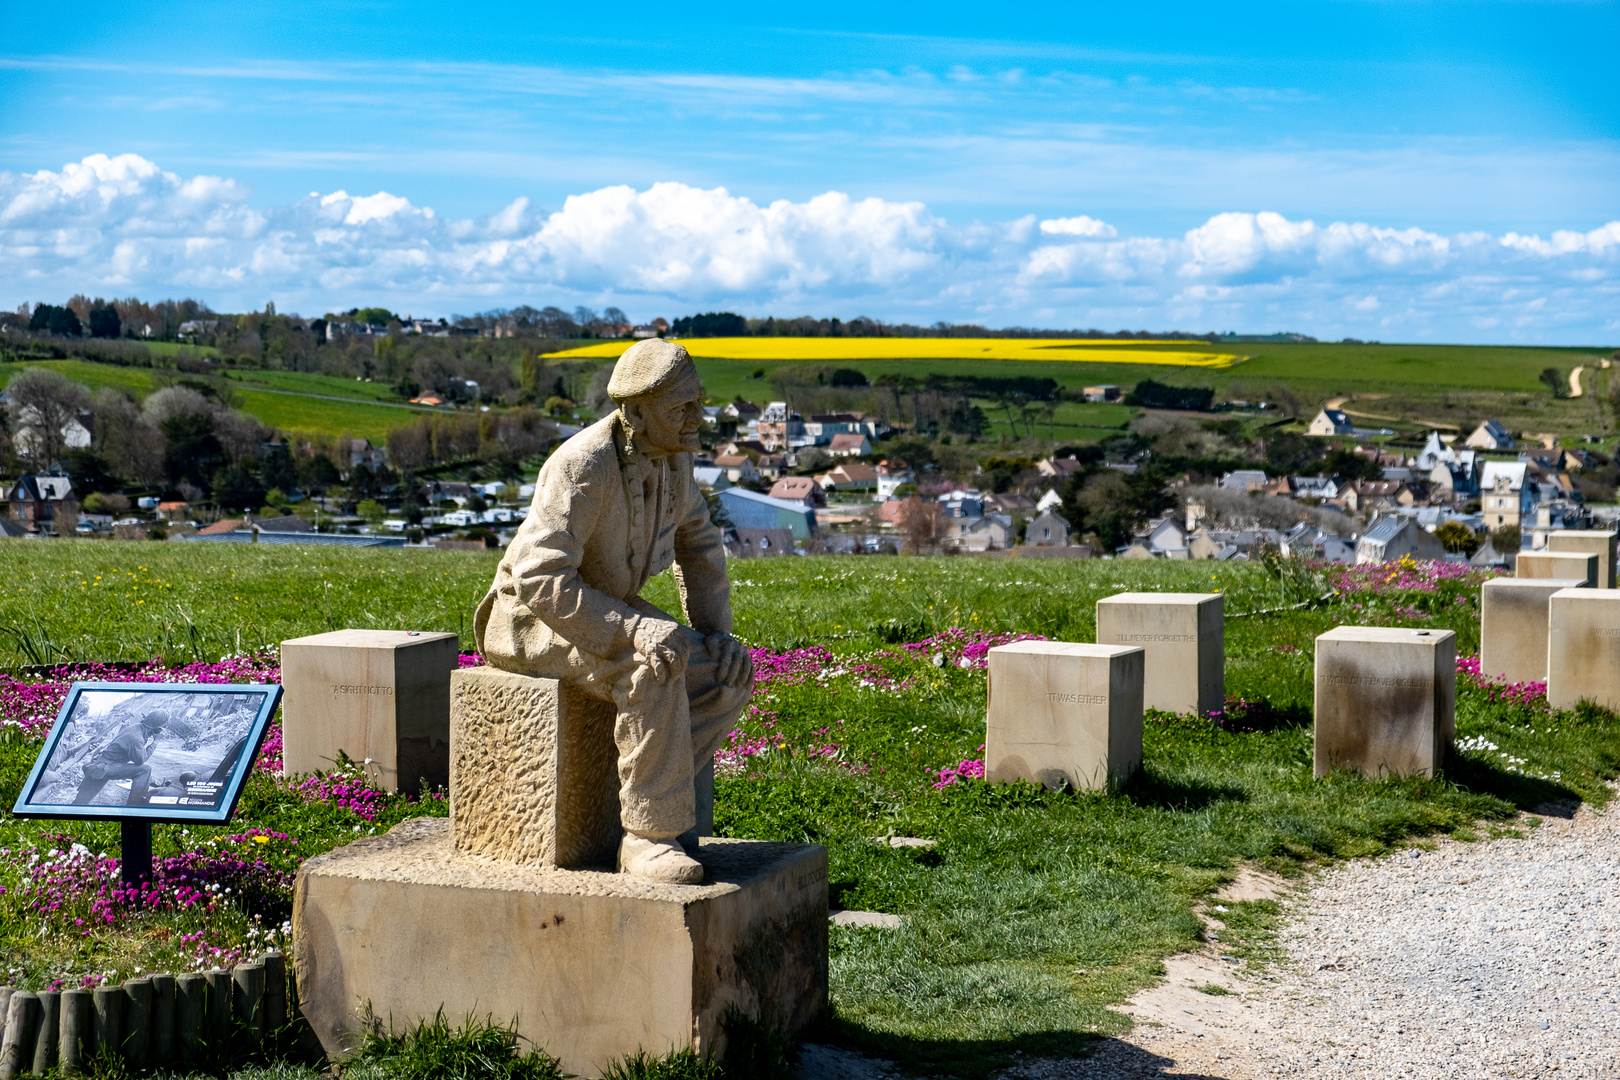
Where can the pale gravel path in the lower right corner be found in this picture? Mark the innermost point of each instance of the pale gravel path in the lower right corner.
(1472, 961)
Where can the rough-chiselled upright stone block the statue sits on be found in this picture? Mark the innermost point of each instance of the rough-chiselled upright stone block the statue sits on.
(534, 772)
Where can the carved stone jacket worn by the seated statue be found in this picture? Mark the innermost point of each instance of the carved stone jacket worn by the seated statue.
(605, 519)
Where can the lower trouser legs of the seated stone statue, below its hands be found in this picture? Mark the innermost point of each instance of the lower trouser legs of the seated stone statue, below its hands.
(665, 736)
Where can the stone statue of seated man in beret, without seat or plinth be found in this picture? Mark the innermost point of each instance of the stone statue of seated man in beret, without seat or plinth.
(616, 506)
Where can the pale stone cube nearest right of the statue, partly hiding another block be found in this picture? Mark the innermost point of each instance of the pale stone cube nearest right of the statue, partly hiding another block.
(1065, 713)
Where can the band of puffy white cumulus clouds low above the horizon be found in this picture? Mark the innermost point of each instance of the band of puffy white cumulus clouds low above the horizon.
(126, 226)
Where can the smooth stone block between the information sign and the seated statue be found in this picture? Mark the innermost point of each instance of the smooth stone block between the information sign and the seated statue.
(383, 697)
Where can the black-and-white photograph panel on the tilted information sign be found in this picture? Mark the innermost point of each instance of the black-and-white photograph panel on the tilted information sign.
(147, 749)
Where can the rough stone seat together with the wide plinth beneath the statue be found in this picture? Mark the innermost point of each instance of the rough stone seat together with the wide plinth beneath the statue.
(511, 908)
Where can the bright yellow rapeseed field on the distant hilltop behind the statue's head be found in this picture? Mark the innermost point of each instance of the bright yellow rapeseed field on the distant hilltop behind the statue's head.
(853, 349)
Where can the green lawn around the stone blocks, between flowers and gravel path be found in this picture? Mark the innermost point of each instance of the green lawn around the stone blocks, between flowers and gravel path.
(1036, 911)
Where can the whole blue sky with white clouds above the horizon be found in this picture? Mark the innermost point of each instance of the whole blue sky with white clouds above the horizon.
(1399, 171)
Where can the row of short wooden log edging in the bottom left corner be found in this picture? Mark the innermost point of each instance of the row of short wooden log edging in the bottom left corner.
(148, 1021)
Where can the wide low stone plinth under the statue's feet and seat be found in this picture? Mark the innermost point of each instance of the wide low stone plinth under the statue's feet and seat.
(592, 966)
